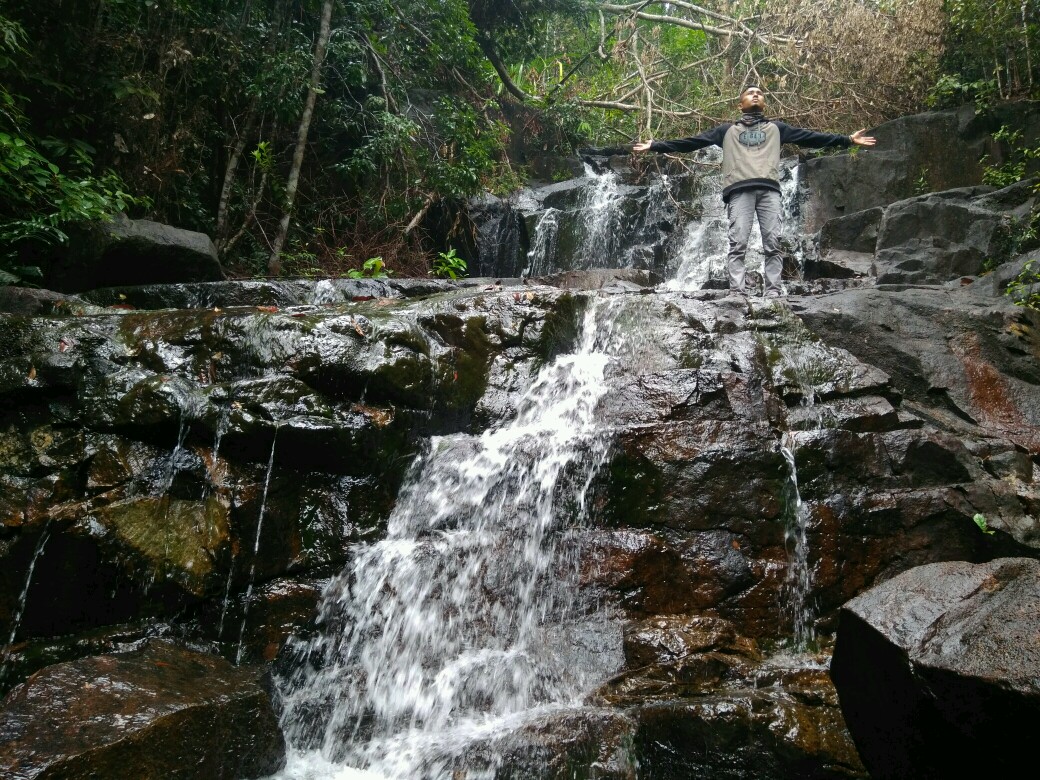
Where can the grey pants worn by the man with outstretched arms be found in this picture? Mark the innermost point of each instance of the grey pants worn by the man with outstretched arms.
(743, 207)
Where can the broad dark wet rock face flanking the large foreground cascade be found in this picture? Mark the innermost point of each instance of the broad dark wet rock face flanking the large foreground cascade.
(198, 462)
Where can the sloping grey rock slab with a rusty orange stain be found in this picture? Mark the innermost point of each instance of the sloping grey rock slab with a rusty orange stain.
(961, 357)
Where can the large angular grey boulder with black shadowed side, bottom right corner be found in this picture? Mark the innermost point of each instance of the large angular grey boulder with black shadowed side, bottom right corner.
(938, 670)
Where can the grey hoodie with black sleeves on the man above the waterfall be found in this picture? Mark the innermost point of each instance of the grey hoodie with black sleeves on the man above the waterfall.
(751, 150)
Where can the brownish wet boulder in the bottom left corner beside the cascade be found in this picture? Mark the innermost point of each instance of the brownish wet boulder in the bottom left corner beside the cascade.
(161, 712)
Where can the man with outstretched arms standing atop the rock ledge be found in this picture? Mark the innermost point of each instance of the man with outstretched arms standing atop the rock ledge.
(751, 178)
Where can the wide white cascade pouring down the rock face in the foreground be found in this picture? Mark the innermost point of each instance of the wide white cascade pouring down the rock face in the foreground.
(460, 626)
